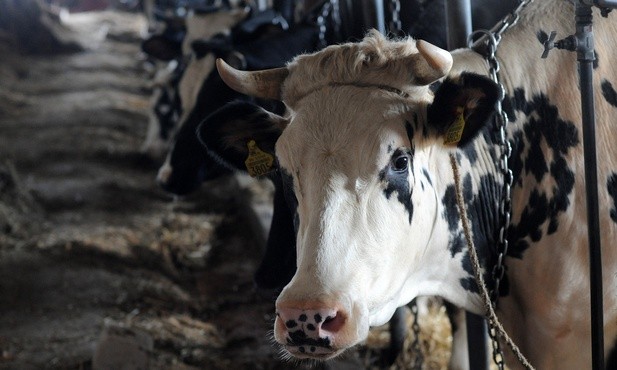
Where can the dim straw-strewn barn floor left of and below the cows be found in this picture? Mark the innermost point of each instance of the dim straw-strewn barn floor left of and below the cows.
(99, 268)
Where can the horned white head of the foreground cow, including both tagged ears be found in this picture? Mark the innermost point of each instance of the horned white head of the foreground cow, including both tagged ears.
(362, 154)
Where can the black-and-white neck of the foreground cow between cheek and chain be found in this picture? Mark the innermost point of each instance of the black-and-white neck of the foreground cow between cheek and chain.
(481, 187)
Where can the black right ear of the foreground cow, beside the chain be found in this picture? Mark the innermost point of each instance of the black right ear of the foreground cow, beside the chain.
(462, 106)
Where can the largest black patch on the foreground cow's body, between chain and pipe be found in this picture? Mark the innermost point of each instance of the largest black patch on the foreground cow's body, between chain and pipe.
(543, 131)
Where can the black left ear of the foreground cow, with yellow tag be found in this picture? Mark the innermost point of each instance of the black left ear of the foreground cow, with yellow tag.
(242, 136)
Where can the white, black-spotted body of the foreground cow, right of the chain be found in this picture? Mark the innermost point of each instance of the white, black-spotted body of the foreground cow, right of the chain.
(547, 308)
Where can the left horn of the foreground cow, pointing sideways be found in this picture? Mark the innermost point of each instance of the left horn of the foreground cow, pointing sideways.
(261, 84)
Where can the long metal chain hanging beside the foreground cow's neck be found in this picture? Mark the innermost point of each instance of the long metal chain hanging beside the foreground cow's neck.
(488, 43)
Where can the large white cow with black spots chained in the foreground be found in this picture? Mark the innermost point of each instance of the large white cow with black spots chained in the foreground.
(362, 157)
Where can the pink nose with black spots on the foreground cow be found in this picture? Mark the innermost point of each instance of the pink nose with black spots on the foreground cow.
(310, 332)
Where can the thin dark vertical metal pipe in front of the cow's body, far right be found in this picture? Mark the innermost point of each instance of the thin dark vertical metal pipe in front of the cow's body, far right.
(586, 56)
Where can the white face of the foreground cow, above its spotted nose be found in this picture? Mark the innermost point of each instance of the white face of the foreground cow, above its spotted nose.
(365, 212)
